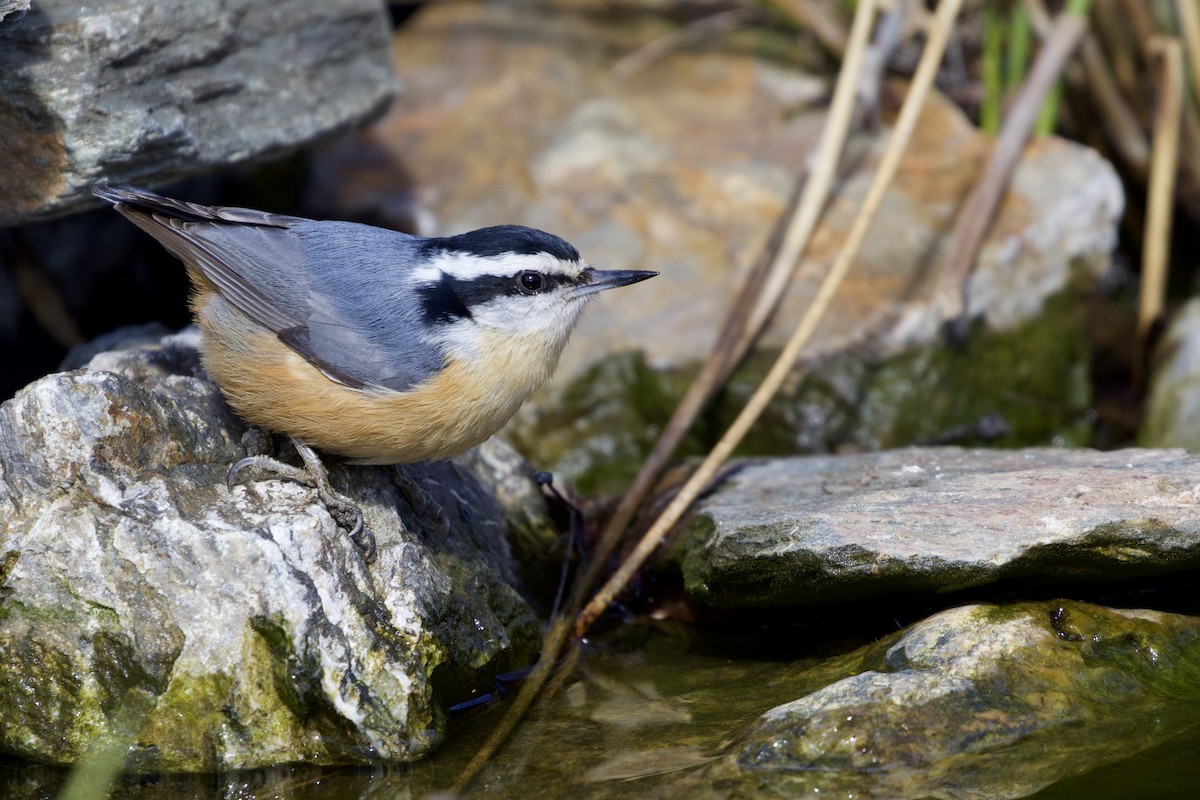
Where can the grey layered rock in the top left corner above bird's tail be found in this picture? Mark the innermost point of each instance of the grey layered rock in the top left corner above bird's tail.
(148, 92)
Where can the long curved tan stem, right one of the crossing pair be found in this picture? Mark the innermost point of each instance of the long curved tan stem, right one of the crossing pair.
(935, 46)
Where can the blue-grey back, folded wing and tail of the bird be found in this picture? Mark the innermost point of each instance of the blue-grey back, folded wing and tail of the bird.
(334, 292)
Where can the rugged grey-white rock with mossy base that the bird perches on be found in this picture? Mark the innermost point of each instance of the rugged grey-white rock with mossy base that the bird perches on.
(242, 627)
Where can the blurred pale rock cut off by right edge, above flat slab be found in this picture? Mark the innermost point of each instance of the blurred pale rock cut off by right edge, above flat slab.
(1173, 410)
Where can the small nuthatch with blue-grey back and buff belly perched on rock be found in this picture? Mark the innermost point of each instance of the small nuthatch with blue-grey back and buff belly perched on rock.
(368, 344)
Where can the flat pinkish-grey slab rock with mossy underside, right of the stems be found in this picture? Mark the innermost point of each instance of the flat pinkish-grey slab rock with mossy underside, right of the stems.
(829, 530)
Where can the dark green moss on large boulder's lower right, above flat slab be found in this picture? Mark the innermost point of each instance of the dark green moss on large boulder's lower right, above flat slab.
(1035, 380)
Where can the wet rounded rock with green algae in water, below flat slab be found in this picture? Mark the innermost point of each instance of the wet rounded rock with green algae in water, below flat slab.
(982, 701)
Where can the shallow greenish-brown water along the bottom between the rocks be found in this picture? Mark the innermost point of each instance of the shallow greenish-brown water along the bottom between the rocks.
(632, 724)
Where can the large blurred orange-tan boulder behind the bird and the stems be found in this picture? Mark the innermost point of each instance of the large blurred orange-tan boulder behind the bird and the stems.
(682, 166)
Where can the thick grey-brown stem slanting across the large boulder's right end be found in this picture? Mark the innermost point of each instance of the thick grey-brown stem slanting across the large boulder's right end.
(977, 214)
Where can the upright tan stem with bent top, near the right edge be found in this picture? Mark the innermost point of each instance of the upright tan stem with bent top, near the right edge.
(1163, 169)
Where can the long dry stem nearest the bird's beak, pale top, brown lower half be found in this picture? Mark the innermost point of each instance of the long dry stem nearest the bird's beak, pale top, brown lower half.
(757, 299)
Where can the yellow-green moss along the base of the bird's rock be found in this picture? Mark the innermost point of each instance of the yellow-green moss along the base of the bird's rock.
(59, 699)
